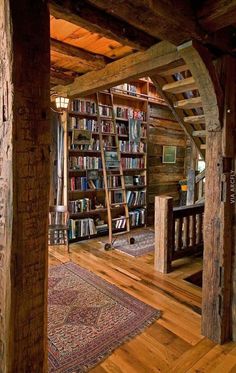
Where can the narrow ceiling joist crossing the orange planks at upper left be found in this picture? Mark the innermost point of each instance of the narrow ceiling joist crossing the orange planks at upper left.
(69, 50)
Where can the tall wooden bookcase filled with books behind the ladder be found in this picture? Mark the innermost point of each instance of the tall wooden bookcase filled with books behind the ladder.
(86, 192)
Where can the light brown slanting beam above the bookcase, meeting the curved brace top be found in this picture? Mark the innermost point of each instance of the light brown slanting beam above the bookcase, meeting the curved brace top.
(134, 66)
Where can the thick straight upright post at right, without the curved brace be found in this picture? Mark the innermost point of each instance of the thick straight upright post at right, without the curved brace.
(218, 222)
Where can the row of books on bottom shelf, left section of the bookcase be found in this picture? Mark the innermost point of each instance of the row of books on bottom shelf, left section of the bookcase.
(81, 228)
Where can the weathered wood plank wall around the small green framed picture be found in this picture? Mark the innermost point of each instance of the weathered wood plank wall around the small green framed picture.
(163, 178)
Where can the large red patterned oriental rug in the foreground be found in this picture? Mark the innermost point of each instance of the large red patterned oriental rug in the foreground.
(88, 318)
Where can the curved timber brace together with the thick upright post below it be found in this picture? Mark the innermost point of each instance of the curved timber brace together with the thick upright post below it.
(218, 227)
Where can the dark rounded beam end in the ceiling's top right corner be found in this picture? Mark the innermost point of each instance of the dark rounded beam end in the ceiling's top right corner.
(216, 14)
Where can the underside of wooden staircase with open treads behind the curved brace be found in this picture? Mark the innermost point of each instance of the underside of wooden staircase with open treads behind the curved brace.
(177, 87)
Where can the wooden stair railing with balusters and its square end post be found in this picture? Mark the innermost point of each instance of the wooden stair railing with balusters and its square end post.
(178, 232)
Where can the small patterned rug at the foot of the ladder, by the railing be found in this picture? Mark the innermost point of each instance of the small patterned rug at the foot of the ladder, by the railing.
(144, 244)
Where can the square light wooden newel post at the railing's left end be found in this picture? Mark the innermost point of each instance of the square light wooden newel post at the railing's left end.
(163, 233)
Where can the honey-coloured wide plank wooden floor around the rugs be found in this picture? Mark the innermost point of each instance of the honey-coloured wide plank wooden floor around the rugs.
(174, 342)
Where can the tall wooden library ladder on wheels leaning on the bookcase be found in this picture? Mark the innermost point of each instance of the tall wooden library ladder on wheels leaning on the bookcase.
(112, 168)
